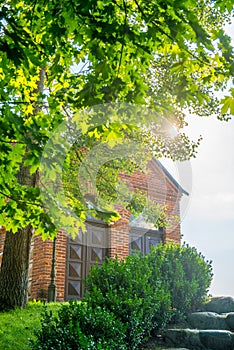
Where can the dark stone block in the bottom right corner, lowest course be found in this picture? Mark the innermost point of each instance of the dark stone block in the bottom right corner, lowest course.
(216, 340)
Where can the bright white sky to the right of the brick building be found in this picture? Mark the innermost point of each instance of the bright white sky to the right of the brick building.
(208, 218)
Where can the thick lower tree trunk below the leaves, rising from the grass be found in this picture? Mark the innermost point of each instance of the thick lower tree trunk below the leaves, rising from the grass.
(14, 269)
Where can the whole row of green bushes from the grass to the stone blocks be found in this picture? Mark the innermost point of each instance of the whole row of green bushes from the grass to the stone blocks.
(127, 299)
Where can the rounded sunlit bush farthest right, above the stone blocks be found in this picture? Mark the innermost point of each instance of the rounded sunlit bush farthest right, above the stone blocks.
(185, 273)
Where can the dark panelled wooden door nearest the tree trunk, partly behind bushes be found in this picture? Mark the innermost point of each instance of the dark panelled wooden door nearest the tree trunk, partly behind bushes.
(87, 249)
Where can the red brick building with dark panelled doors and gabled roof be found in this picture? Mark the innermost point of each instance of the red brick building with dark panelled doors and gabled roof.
(74, 257)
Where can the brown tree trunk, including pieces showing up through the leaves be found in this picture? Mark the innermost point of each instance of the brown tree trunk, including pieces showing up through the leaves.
(15, 260)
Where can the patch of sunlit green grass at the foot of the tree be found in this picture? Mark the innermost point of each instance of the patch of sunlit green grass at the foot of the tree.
(17, 326)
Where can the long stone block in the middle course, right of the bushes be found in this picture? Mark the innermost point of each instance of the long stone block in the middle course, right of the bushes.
(207, 320)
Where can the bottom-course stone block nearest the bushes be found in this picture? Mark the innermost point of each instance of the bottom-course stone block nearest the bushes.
(188, 338)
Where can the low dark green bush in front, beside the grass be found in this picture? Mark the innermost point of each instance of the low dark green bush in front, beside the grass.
(79, 326)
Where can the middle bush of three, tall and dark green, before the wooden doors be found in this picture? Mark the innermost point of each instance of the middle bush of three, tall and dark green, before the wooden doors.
(124, 289)
